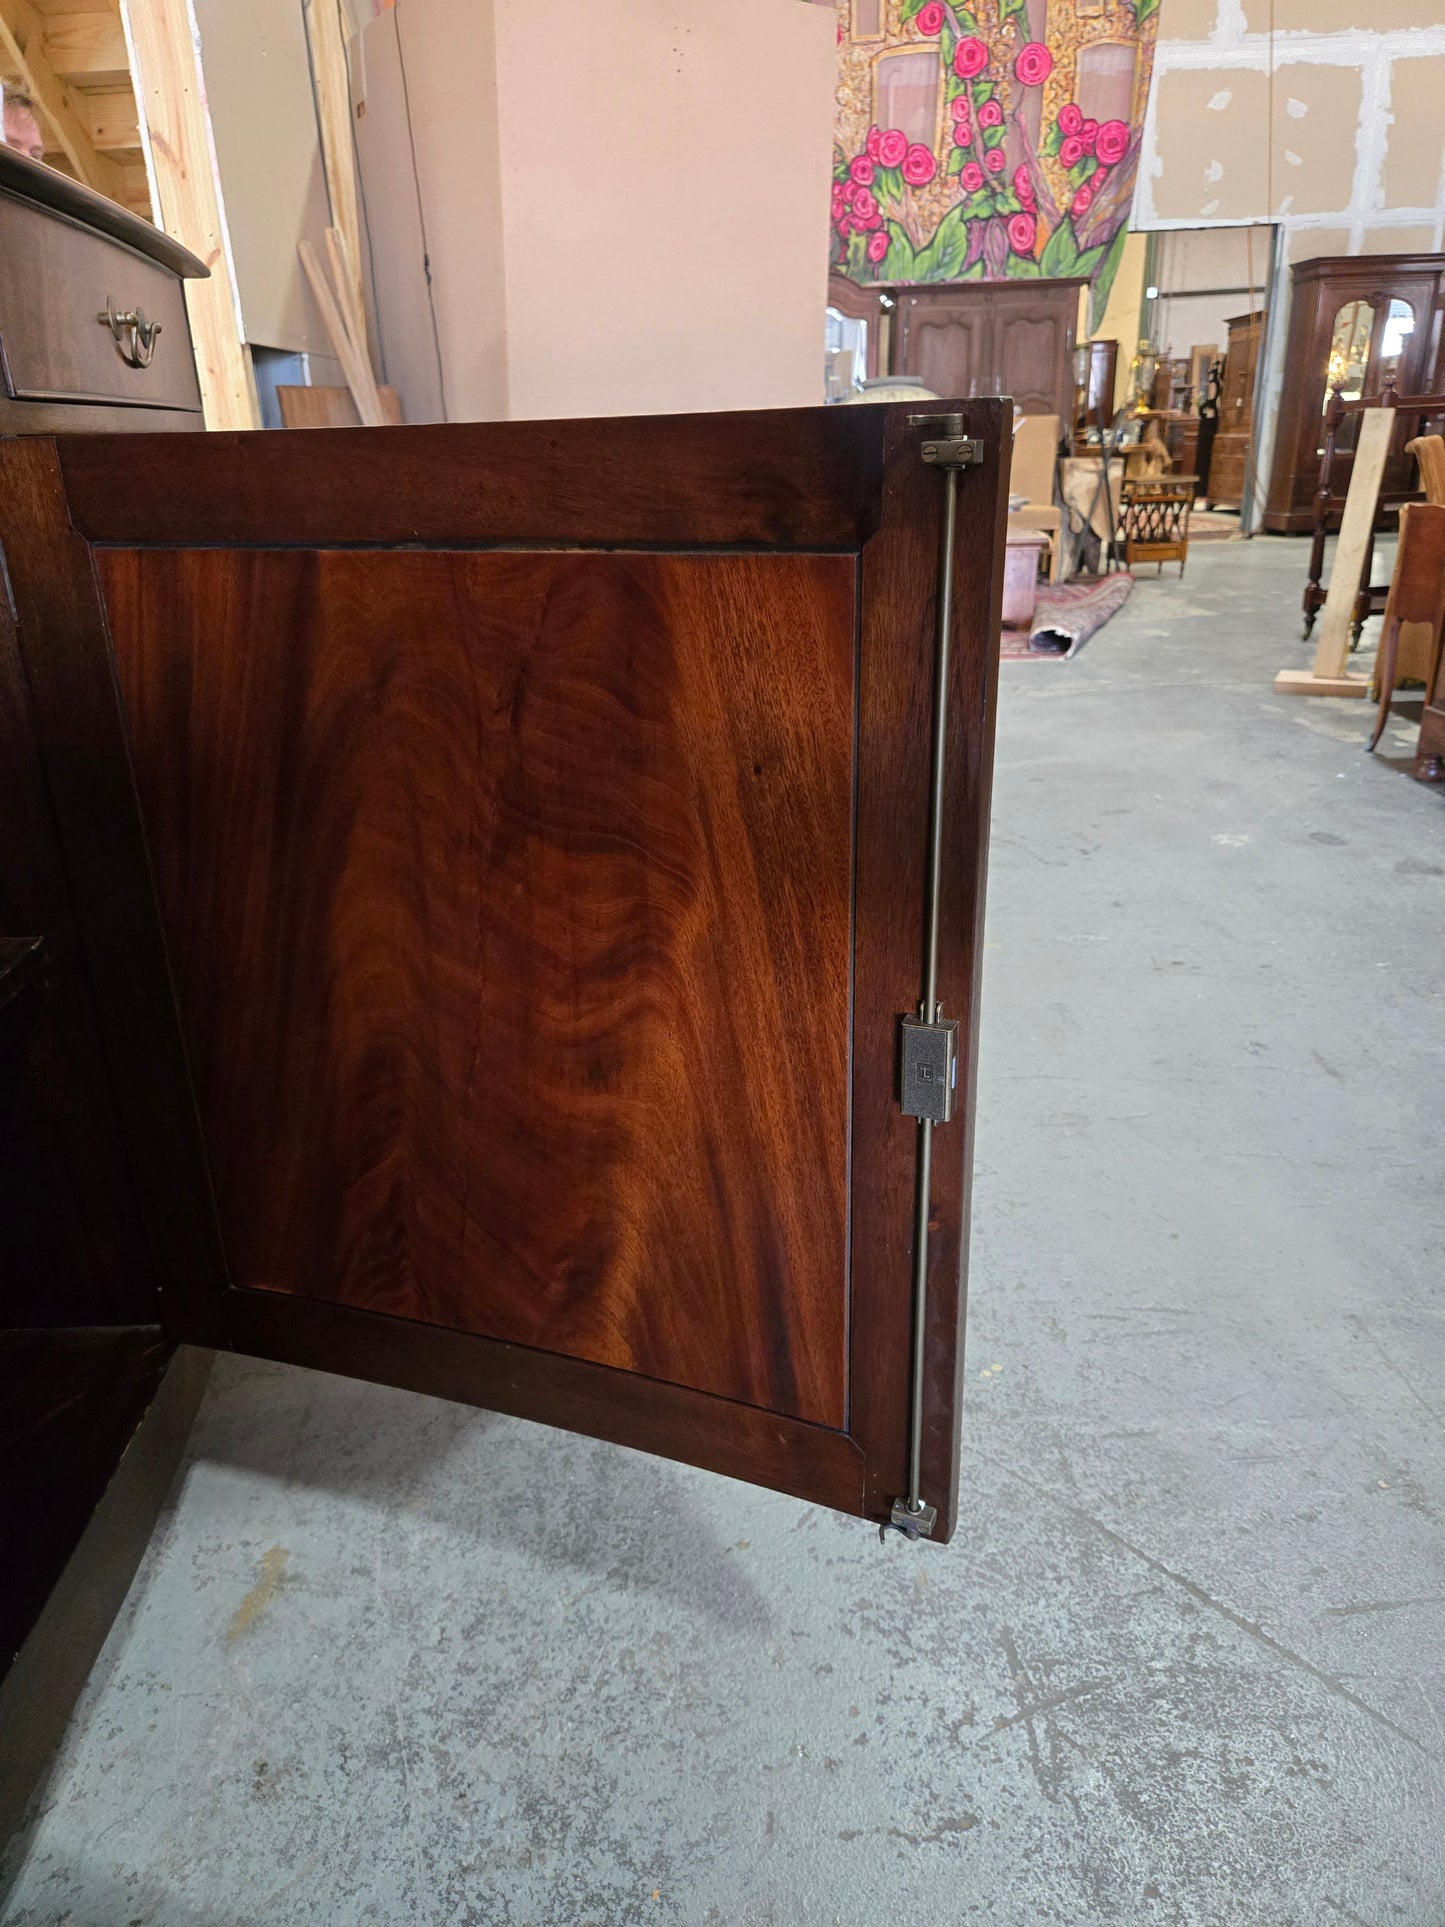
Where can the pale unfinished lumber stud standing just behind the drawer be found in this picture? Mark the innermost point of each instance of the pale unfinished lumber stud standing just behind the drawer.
(186, 192)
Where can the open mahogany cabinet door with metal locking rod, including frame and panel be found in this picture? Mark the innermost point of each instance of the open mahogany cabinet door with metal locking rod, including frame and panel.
(510, 855)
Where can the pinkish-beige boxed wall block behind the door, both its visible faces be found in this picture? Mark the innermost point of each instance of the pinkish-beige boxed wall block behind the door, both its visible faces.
(633, 228)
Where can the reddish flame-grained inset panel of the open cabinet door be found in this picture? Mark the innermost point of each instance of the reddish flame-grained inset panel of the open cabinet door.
(510, 907)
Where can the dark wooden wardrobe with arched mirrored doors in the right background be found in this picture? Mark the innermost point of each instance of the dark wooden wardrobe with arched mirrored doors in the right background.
(1355, 325)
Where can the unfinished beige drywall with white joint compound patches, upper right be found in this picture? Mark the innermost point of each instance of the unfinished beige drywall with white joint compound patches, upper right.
(1319, 115)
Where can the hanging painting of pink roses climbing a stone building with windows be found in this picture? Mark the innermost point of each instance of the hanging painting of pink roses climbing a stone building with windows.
(991, 144)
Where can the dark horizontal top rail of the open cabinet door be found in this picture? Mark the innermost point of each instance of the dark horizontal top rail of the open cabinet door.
(777, 479)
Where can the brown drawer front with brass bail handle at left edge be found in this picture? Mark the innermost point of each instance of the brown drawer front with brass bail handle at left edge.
(55, 284)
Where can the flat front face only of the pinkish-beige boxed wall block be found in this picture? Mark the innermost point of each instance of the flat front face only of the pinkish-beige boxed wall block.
(666, 199)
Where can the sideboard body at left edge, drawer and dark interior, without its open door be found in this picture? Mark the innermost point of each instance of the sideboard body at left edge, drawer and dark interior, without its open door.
(93, 338)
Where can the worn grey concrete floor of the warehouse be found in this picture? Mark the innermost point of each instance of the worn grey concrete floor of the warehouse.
(1186, 1662)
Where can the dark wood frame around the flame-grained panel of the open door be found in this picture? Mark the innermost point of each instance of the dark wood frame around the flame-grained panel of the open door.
(831, 479)
